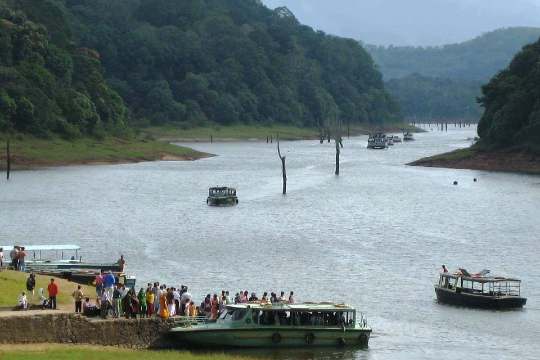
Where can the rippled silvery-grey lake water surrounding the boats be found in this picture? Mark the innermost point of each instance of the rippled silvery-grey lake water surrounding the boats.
(373, 237)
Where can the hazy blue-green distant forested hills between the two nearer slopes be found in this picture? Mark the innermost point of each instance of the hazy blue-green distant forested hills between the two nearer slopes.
(443, 82)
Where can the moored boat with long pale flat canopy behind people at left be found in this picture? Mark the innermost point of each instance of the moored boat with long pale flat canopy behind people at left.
(64, 261)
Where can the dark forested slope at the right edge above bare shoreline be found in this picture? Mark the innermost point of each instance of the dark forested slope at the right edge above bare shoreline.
(512, 103)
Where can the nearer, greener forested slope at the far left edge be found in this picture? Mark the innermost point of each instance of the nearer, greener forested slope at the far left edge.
(49, 86)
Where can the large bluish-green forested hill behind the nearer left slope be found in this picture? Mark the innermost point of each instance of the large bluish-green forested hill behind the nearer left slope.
(227, 61)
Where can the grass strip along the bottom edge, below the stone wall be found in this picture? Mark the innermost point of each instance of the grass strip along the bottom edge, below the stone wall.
(71, 352)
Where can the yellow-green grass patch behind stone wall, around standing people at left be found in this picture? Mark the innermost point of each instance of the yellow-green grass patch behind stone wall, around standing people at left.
(13, 283)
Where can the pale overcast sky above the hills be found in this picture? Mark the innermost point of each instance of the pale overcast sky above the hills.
(412, 22)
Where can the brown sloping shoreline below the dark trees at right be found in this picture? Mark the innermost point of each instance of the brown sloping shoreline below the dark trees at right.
(514, 161)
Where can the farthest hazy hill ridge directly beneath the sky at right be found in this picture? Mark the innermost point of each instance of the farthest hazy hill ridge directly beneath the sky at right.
(477, 59)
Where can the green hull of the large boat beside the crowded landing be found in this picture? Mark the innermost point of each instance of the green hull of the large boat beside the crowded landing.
(271, 337)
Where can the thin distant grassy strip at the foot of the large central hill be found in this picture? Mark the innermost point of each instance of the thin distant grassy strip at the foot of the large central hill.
(254, 132)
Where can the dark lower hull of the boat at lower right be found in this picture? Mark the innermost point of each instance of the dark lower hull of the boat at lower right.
(451, 297)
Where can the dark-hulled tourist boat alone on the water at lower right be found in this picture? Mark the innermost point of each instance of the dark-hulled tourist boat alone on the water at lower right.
(489, 292)
